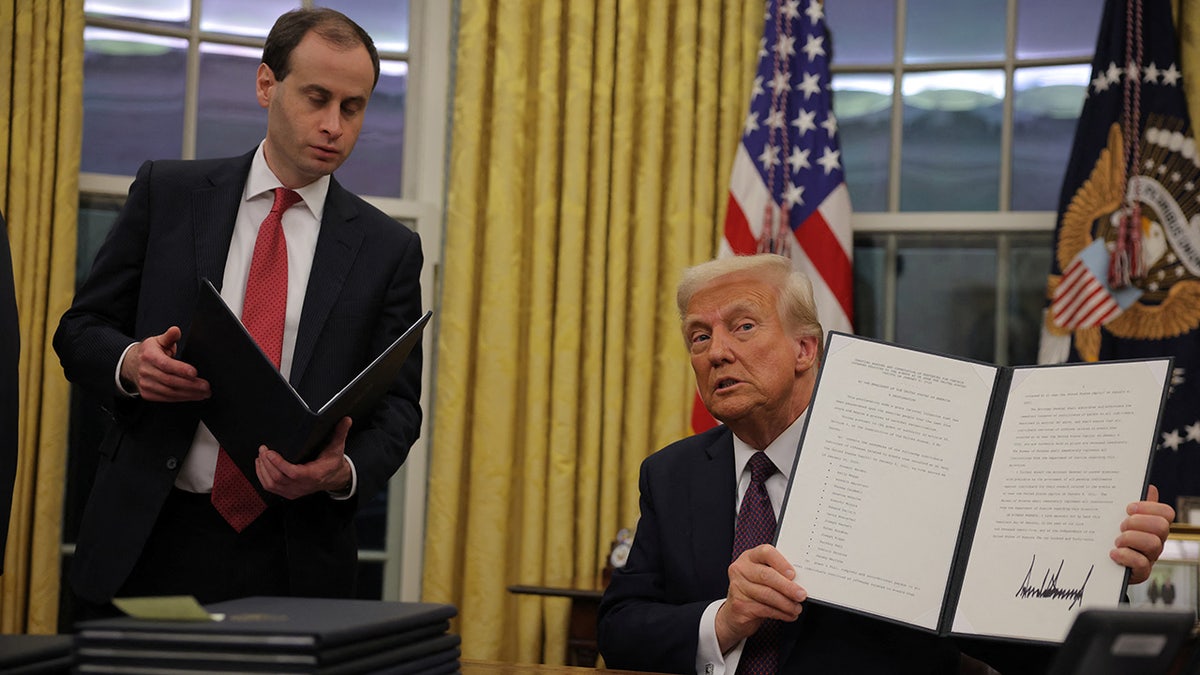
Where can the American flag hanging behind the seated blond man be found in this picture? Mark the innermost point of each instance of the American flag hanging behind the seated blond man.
(788, 190)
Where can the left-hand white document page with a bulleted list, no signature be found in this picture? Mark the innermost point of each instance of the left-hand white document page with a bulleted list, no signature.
(877, 500)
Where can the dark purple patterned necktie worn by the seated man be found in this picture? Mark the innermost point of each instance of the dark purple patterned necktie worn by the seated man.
(757, 525)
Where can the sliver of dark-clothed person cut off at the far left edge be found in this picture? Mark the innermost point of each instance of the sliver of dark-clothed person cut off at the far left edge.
(10, 386)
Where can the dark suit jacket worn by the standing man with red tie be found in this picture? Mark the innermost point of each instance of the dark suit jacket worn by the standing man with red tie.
(175, 231)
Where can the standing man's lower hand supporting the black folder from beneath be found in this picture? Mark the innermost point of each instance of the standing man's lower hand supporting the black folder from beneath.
(329, 473)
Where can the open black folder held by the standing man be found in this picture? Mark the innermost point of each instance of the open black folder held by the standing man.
(254, 405)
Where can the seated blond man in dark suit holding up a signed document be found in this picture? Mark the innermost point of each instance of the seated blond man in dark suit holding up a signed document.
(687, 601)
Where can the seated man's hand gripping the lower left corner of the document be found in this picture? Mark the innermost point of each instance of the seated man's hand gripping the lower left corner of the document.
(761, 587)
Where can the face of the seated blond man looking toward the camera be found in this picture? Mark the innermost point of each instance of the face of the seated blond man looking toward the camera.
(749, 369)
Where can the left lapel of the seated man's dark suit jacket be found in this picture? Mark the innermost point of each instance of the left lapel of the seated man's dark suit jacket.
(713, 493)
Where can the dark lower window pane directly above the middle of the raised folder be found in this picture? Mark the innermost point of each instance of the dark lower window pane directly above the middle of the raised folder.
(941, 273)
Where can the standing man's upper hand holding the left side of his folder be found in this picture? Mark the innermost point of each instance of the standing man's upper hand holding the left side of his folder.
(152, 371)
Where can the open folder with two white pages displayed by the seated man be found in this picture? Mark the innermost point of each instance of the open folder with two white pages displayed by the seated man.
(968, 499)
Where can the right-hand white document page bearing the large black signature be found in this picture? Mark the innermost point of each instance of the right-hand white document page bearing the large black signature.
(1072, 453)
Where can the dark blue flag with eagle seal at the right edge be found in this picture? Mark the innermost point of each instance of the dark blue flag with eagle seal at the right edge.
(1126, 274)
